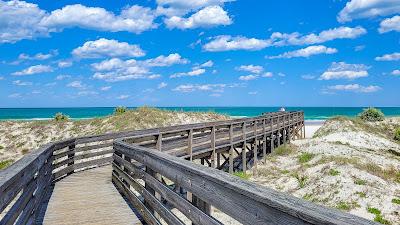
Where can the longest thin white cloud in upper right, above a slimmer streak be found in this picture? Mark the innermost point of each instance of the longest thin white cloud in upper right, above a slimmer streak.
(281, 39)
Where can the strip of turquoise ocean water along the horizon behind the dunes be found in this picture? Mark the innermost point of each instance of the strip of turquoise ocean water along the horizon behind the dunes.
(311, 113)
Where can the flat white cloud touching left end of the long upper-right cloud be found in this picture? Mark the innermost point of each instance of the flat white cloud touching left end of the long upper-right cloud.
(229, 43)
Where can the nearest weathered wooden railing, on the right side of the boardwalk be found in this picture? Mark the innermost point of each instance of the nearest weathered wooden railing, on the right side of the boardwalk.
(198, 186)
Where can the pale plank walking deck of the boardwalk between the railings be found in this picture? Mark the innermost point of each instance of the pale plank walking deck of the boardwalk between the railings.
(88, 197)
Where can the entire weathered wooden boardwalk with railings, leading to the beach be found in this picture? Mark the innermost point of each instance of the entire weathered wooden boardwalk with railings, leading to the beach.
(170, 175)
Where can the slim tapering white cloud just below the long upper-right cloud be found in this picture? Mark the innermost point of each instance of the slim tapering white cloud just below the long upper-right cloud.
(306, 52)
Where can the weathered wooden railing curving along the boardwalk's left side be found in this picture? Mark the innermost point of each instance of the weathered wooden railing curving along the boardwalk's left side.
(24, 185)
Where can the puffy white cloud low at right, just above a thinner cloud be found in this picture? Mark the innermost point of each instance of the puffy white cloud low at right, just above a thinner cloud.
(342, 70)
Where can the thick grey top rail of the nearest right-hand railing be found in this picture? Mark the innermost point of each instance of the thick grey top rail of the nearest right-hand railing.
(245, 201)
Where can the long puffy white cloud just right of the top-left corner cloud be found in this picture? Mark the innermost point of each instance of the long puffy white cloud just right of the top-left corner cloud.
(135, 19)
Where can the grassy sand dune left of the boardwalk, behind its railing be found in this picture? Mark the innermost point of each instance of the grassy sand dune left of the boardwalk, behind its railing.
(20, 137)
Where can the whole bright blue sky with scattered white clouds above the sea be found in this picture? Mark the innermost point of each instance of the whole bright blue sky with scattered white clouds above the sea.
(199, 53)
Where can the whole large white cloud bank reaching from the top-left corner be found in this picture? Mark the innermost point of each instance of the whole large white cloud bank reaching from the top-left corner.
(21, 20)
